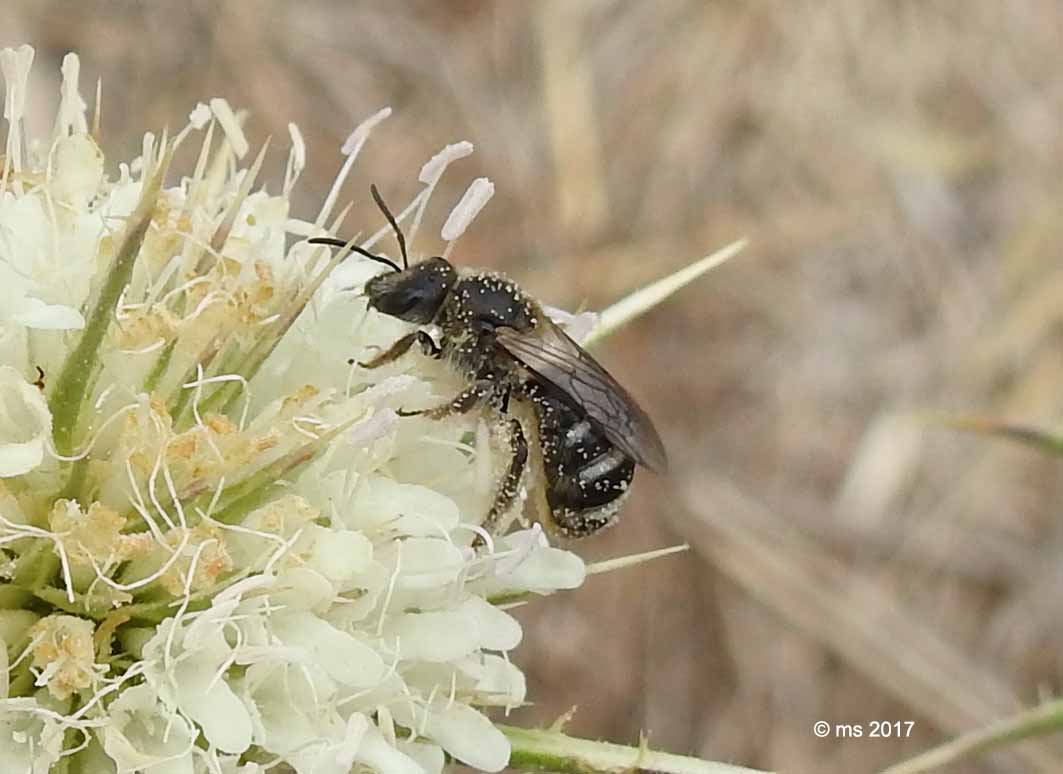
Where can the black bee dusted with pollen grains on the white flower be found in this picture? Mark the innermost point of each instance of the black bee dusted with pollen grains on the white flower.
(589, 433)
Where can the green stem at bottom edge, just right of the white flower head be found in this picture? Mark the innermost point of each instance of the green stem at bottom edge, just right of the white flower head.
(534, 750)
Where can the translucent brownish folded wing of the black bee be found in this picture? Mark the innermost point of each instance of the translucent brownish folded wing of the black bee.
(550, 354)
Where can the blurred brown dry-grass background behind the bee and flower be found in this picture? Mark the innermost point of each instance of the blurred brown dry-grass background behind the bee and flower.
(899, 167)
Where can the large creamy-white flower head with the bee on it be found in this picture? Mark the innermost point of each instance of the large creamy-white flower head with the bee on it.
(249, 559)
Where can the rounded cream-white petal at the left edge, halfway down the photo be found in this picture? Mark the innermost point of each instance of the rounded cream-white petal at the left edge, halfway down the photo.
(25, 424)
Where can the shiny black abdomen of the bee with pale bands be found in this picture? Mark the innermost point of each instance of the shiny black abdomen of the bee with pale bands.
(587, 477)
